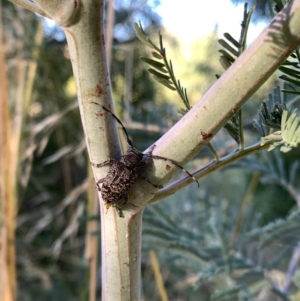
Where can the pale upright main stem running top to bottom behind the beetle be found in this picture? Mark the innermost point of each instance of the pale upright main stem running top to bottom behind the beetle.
(120, 237)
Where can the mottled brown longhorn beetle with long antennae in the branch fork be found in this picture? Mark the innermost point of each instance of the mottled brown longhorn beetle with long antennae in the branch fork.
(123, 173)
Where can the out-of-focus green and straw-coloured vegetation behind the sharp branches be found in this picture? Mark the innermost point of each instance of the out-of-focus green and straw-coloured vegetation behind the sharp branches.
(221, 241)
